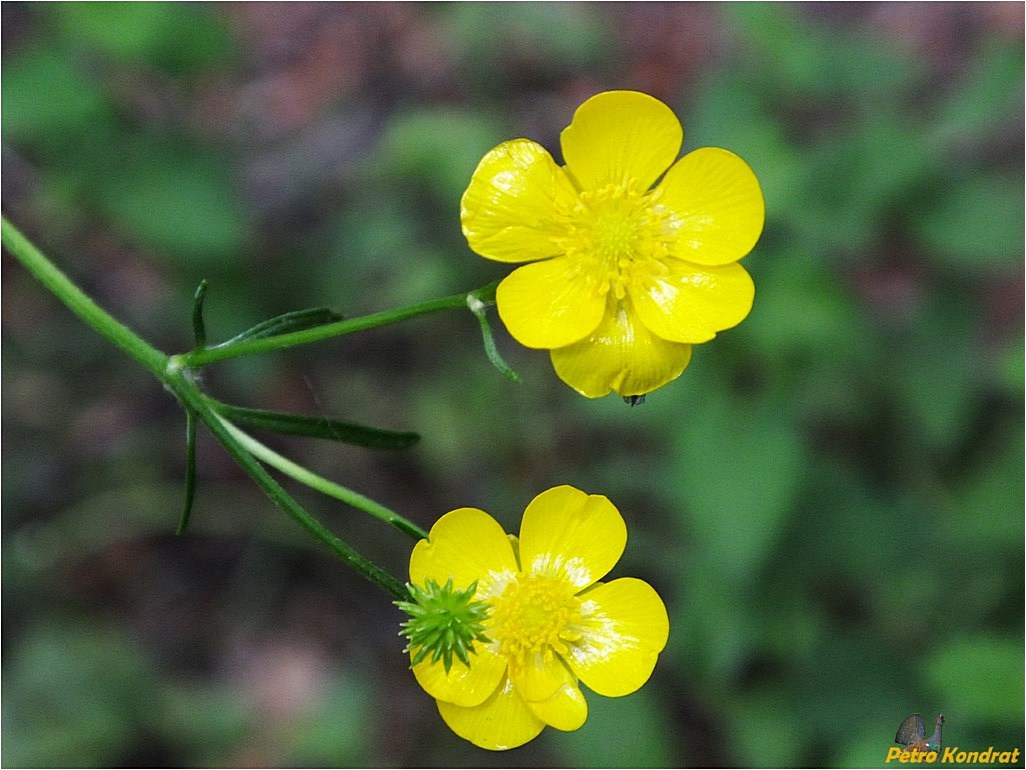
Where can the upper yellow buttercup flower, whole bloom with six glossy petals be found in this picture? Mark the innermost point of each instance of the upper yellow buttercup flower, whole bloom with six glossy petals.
(625, 275)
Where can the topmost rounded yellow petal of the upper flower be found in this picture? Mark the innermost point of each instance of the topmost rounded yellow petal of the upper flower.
(620, 136)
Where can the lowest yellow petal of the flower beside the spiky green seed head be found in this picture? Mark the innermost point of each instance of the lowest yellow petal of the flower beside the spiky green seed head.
(503, 721)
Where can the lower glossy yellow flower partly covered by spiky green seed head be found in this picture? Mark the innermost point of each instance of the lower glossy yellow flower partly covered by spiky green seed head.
(550, 625)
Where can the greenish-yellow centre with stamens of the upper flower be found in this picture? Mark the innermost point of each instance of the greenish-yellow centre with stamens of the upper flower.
(619, 235)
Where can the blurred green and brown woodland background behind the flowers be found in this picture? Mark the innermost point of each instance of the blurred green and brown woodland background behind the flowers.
(831, 499)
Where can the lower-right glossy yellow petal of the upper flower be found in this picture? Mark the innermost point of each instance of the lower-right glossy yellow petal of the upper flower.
(691, 303)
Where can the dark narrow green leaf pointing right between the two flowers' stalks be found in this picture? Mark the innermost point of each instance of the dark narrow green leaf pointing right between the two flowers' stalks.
(319, 428)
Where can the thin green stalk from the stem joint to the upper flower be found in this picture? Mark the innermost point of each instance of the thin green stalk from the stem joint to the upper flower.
(203, 358)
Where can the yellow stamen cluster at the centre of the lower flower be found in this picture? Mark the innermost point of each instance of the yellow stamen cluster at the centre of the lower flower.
(536, 614)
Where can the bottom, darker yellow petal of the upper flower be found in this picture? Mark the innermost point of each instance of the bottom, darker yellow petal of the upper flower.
(622, 356)
